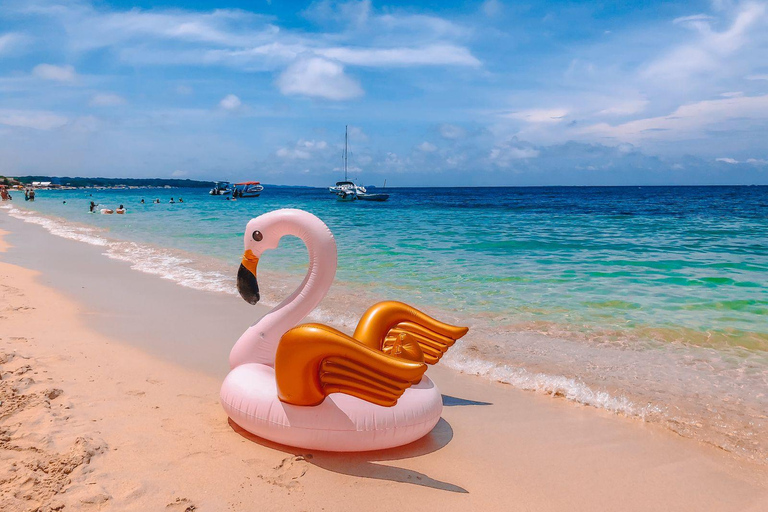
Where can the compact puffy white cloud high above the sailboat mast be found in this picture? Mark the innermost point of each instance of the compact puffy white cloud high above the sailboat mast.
(318, 78)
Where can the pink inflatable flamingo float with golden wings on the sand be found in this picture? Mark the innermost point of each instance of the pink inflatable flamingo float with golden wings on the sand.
(311, 386)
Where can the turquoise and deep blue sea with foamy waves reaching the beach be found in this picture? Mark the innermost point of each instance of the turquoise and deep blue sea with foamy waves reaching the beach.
(648, 301)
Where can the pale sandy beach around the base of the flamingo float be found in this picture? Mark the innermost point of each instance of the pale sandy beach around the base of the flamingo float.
(89, 421)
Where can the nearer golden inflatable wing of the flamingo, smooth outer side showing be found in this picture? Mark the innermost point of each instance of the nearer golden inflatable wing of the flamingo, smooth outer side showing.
(314, 360)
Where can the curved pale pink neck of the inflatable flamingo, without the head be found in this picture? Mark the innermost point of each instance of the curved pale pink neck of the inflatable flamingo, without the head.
(259, 343)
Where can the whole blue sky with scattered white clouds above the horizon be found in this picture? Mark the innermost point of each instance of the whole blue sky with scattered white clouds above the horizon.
(435, 93)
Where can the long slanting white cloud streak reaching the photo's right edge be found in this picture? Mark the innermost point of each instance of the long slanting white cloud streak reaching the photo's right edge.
(687, 120)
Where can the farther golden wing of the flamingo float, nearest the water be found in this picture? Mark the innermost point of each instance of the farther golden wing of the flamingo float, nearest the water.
(394, 327)
